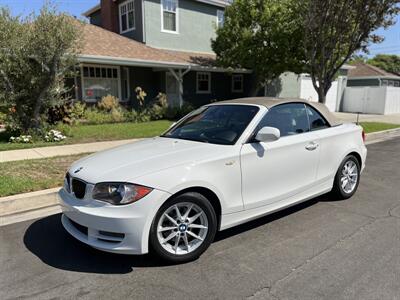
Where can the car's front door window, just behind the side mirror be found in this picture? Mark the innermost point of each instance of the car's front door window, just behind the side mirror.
(290, 119)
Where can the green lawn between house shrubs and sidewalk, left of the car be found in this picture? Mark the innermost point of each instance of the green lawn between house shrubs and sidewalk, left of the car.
(96, 133)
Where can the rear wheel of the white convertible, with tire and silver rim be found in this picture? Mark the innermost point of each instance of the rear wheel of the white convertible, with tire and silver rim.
(340, 189)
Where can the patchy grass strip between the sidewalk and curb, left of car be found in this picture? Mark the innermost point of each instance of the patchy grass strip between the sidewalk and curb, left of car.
(24, 176)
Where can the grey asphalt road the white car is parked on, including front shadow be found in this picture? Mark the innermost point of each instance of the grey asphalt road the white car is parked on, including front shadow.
(321, 249)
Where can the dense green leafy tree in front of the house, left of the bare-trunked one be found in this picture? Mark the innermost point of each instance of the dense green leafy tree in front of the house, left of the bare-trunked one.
(263, 36)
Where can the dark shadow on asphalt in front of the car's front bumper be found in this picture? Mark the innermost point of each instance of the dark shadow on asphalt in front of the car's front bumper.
(47, 239)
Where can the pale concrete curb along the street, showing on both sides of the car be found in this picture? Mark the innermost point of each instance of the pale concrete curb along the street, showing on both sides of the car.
(33, 205)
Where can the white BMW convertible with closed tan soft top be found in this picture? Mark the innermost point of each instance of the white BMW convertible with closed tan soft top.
(222, 165)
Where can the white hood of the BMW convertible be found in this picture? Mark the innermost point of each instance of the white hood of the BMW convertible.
(130, 161)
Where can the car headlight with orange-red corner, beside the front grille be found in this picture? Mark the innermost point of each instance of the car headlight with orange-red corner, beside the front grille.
(118, 193)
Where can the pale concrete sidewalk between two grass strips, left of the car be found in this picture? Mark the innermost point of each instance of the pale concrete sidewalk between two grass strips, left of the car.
(53, 151)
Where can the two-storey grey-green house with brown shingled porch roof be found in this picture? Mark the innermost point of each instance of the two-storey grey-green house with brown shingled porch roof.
(159, 45)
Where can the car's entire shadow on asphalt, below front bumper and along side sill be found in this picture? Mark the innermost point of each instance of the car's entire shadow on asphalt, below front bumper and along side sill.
(47, 239)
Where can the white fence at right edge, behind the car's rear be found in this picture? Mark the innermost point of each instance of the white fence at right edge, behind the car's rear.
(372, 100)
